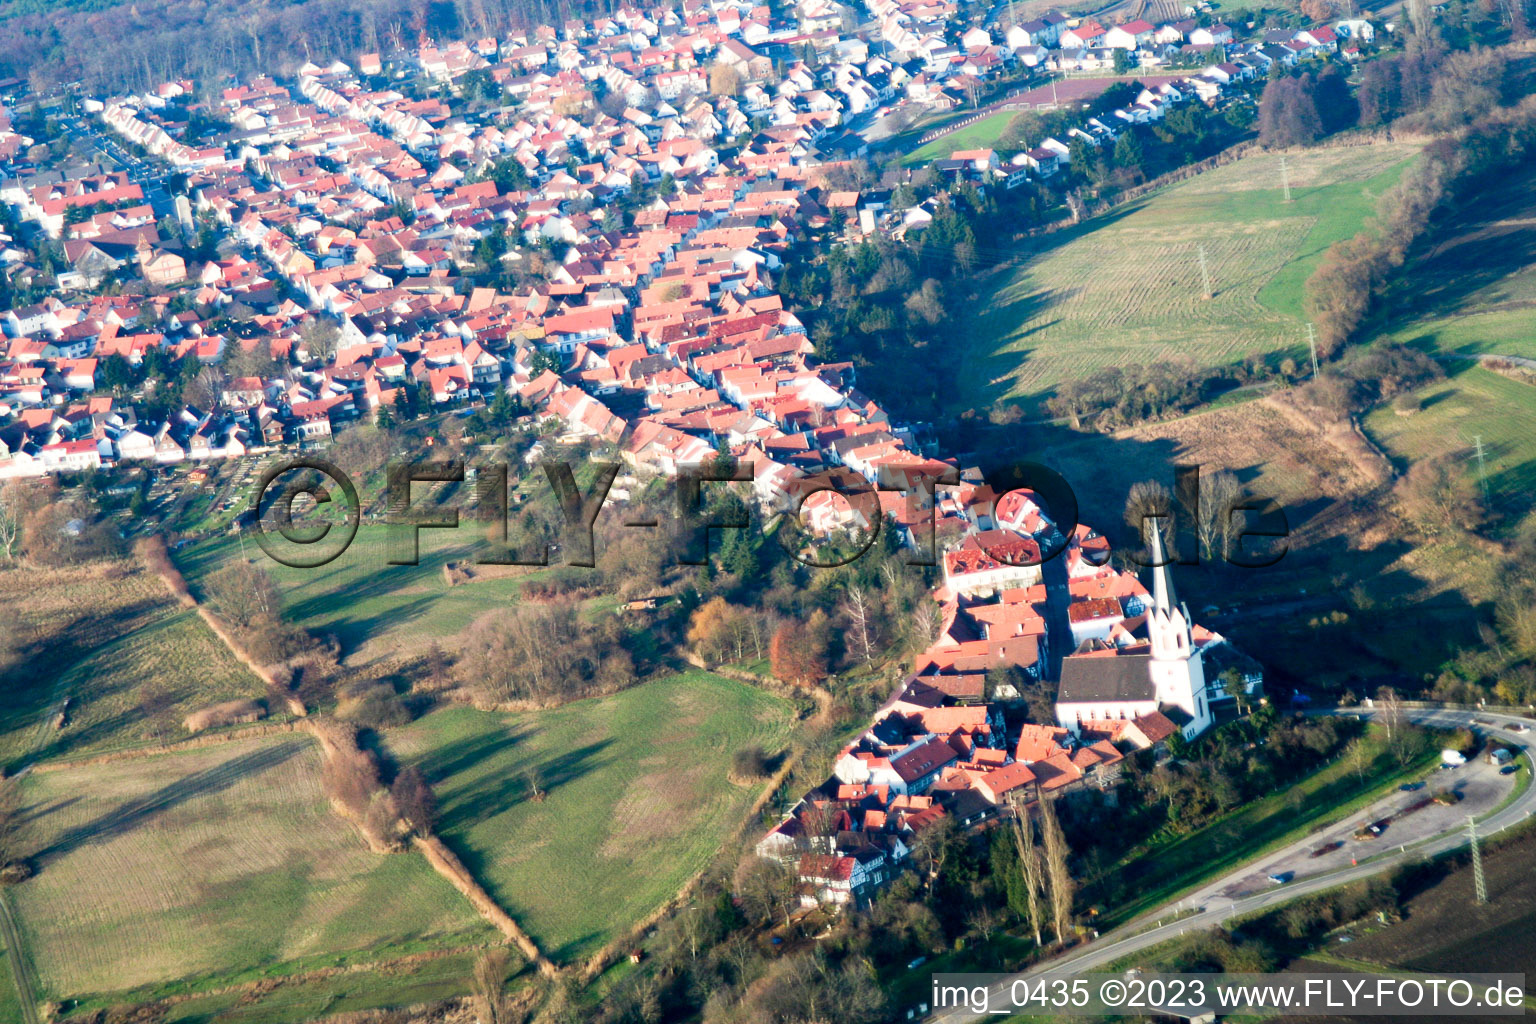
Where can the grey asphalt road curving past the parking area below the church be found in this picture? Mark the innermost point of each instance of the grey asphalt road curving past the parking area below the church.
(1213, 910)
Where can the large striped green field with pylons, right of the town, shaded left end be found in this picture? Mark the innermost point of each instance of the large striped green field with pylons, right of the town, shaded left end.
(1128, 288)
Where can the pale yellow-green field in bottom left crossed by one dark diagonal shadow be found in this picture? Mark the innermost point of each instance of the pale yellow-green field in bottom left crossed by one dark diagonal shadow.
(220, 860)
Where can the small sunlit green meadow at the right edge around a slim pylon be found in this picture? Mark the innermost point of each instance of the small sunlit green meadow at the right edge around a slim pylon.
(1469, 405)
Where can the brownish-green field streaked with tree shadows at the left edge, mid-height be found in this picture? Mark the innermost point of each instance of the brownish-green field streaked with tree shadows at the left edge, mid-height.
(105, 636)
